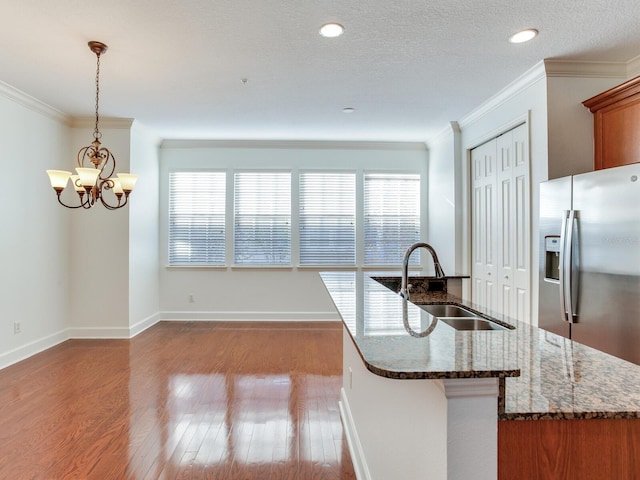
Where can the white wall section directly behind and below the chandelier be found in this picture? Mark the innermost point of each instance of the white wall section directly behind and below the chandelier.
(100, 249)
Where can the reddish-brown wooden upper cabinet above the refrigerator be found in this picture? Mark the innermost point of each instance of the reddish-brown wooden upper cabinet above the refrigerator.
(616, 125)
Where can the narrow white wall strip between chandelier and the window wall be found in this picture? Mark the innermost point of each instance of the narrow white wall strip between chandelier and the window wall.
(143, 295)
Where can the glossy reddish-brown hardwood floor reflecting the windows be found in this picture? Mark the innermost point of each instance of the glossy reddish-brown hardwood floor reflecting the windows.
(182, 400)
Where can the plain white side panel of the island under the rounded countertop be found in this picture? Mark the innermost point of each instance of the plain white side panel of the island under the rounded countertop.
(395, 428)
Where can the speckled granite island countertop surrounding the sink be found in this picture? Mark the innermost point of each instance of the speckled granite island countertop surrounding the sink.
(542, 375)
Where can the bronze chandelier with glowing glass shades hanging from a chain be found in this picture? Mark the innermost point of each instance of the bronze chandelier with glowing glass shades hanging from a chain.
(92, 182)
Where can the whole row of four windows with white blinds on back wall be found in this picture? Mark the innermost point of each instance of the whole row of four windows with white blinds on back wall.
(341, 218)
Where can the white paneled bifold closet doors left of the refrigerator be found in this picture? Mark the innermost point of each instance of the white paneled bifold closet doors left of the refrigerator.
(501, 225)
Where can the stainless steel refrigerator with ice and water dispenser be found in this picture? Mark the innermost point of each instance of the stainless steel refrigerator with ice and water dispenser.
(590, 259)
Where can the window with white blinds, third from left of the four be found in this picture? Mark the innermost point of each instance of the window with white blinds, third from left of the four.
(327, 218)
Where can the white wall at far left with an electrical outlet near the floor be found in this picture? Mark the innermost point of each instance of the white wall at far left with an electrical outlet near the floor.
(34, 245)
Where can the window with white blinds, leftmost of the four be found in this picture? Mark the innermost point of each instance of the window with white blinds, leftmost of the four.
(197, 218)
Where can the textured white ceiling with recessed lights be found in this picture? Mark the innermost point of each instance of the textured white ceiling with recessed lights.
(408, 67)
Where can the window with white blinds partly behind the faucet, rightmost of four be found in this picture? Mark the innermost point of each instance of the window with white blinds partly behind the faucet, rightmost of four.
(391, 217)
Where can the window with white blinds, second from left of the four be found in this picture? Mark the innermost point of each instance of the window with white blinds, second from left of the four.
(262, 233)
